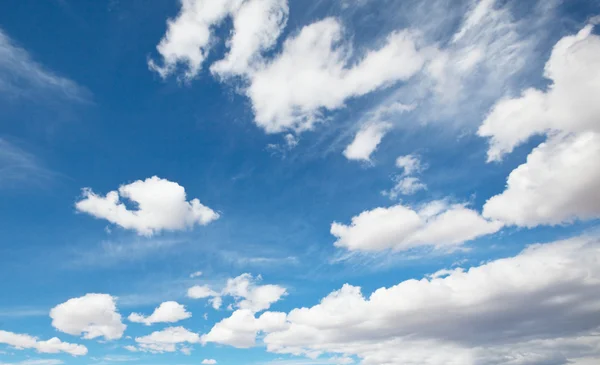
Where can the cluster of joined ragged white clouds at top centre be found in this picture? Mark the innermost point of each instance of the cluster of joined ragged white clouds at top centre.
(313, 71)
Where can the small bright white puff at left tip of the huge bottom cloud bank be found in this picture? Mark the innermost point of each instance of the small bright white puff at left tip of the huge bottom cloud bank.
(240, 329)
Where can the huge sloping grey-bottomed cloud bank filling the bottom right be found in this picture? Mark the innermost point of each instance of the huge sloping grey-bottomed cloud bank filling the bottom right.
(538, 307)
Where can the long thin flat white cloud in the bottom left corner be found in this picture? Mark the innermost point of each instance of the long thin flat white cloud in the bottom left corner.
(51, 346)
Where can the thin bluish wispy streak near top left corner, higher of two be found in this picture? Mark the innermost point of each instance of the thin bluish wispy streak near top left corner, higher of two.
(20, 76)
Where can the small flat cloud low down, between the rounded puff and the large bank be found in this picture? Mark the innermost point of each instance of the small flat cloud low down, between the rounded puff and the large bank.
(167, 340)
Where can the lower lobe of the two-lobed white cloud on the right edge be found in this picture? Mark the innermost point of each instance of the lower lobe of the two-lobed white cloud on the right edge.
(558, 184)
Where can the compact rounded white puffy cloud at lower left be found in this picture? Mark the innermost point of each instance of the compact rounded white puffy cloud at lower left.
(93, 315)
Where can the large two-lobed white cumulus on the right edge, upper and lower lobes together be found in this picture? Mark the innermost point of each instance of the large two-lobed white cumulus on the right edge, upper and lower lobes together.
(558, 183)
